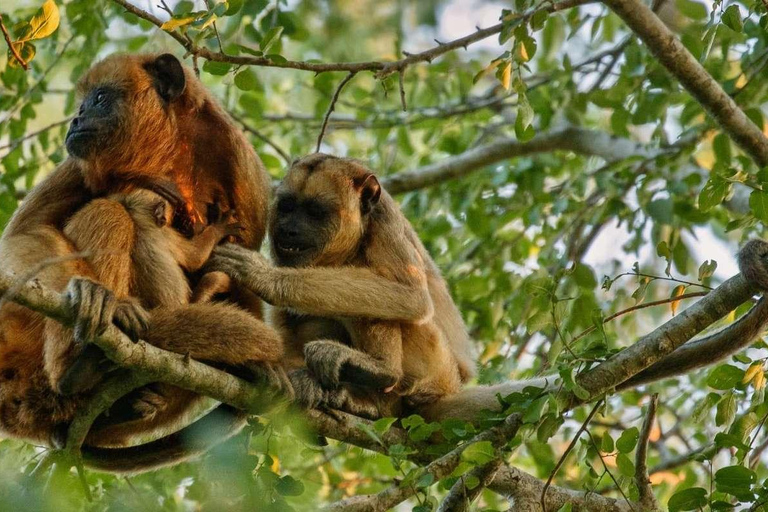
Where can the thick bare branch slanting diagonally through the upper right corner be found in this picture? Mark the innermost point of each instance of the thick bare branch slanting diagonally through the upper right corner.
(668, 49)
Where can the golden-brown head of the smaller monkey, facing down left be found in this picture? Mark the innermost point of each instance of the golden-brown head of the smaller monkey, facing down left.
(321, 211)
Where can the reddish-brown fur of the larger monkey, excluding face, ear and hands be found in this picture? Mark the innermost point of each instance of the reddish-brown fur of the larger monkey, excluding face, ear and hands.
(190, 142)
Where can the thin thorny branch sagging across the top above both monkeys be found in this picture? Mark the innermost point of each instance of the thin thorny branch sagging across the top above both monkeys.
(382, 69)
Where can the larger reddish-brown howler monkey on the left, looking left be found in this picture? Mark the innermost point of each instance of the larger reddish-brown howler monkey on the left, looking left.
(143, 120)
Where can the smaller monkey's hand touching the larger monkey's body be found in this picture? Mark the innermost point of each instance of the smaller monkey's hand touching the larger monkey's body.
(246, 267)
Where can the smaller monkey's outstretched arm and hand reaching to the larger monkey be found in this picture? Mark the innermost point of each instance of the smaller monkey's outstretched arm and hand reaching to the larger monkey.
(325, 291)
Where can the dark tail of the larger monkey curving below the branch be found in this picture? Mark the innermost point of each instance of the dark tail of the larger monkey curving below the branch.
(192, 441)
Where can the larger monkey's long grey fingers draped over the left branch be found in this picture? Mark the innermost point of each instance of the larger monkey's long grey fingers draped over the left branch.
(94, 308)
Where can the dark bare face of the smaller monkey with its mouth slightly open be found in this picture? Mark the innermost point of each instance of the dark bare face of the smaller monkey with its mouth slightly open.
(300, 228)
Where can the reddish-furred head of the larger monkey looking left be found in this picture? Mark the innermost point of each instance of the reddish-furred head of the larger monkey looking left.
(130, 116)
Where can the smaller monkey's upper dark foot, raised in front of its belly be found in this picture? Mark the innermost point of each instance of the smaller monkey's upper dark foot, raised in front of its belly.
(333, 363)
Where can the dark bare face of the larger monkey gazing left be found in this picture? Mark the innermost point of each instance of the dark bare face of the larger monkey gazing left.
(96, 123)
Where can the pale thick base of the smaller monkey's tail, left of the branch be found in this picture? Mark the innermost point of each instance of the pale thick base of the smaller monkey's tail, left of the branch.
(467, 403)
